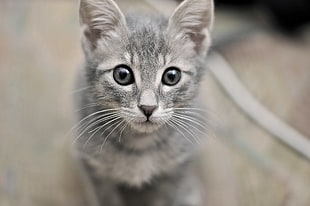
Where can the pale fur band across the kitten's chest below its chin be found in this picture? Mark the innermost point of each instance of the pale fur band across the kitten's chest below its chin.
(135, 168)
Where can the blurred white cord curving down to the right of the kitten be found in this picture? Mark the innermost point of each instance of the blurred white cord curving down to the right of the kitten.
(247, 103)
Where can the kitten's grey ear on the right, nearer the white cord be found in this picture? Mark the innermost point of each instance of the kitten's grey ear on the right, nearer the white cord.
(193, 20)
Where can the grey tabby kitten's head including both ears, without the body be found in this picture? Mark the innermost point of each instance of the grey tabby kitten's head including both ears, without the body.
(145, 67)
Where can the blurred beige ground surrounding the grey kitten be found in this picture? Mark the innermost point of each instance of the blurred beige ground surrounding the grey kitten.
(244, 165)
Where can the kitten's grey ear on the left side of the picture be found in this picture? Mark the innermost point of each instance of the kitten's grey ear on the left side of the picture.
(101, 19)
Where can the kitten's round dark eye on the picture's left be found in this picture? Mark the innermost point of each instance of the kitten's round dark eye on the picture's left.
(123, 75)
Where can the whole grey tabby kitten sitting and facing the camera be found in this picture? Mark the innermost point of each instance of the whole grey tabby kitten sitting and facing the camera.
(137, 116)
